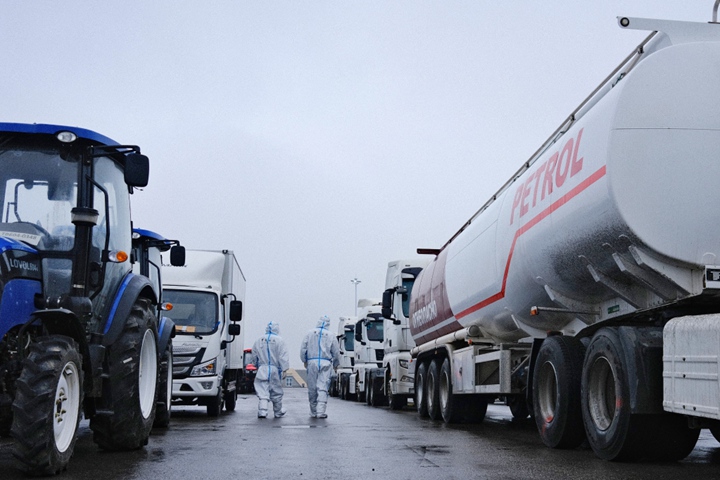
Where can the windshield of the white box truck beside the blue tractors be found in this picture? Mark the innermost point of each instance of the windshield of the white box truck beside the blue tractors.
(194, 313)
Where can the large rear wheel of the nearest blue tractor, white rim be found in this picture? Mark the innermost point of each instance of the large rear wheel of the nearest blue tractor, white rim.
(132, 383)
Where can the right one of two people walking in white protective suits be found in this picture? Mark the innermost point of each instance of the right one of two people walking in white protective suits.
(321, 355)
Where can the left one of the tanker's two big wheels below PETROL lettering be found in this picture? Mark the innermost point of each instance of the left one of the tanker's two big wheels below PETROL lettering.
(556, 392)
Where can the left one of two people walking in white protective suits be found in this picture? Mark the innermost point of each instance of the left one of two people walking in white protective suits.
(272, 360)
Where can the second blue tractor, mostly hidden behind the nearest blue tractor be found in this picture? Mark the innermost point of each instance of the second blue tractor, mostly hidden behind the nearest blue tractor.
(148, 248)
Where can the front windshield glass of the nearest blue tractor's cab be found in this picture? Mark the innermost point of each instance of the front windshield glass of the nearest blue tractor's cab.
(38, 190)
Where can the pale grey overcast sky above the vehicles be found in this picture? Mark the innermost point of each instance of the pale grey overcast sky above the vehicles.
(319, 140)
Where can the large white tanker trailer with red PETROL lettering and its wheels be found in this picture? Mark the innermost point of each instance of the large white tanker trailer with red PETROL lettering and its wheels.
(586, 290)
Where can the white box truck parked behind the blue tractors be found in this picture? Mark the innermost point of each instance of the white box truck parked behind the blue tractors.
(207, 296)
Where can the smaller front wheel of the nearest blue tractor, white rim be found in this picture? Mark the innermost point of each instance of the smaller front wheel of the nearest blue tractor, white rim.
(47, 406)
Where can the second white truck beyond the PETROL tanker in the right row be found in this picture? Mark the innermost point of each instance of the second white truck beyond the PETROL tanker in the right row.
(368, 351)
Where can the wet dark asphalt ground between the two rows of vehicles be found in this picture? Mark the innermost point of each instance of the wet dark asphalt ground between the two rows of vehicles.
(354, 442)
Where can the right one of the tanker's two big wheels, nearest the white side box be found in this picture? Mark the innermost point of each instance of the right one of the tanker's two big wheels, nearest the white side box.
(612, 431)
